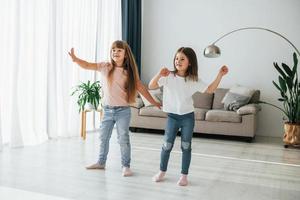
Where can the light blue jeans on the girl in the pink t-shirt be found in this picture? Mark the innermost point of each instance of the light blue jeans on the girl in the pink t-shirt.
(120, 116)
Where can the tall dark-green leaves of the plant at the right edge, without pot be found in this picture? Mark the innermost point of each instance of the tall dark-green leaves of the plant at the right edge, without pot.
(289, 88)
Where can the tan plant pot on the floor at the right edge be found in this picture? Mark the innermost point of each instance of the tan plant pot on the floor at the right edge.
(291, 134)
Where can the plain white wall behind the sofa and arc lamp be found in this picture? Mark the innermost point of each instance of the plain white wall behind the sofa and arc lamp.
(170, 24)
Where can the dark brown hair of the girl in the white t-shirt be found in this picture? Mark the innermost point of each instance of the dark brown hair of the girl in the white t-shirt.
(192, 70)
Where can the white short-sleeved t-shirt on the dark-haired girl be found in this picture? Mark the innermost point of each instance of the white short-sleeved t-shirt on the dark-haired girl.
(177, 97)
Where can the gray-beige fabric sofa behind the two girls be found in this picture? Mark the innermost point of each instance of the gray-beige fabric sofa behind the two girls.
(210, 116)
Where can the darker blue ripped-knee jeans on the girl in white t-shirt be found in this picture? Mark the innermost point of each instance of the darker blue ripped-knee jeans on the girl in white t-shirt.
(175, 122)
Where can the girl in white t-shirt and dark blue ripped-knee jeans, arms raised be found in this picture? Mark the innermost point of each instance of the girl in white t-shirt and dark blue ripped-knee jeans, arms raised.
(179, 85)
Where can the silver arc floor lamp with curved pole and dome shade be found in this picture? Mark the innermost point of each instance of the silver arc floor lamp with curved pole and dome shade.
(213, 51)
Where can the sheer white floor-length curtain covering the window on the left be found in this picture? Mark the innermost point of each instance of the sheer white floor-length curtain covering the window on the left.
(36, 73)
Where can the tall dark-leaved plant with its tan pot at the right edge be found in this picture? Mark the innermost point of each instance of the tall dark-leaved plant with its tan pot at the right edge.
(289, 88)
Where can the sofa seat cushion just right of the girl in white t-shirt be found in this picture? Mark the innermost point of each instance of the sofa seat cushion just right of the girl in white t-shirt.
(223, 116)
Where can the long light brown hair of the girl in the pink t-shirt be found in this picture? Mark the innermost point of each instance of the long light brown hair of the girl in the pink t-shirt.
(130, 66)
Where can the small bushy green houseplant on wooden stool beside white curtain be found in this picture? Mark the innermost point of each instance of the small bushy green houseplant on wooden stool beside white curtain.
(88, 93)
